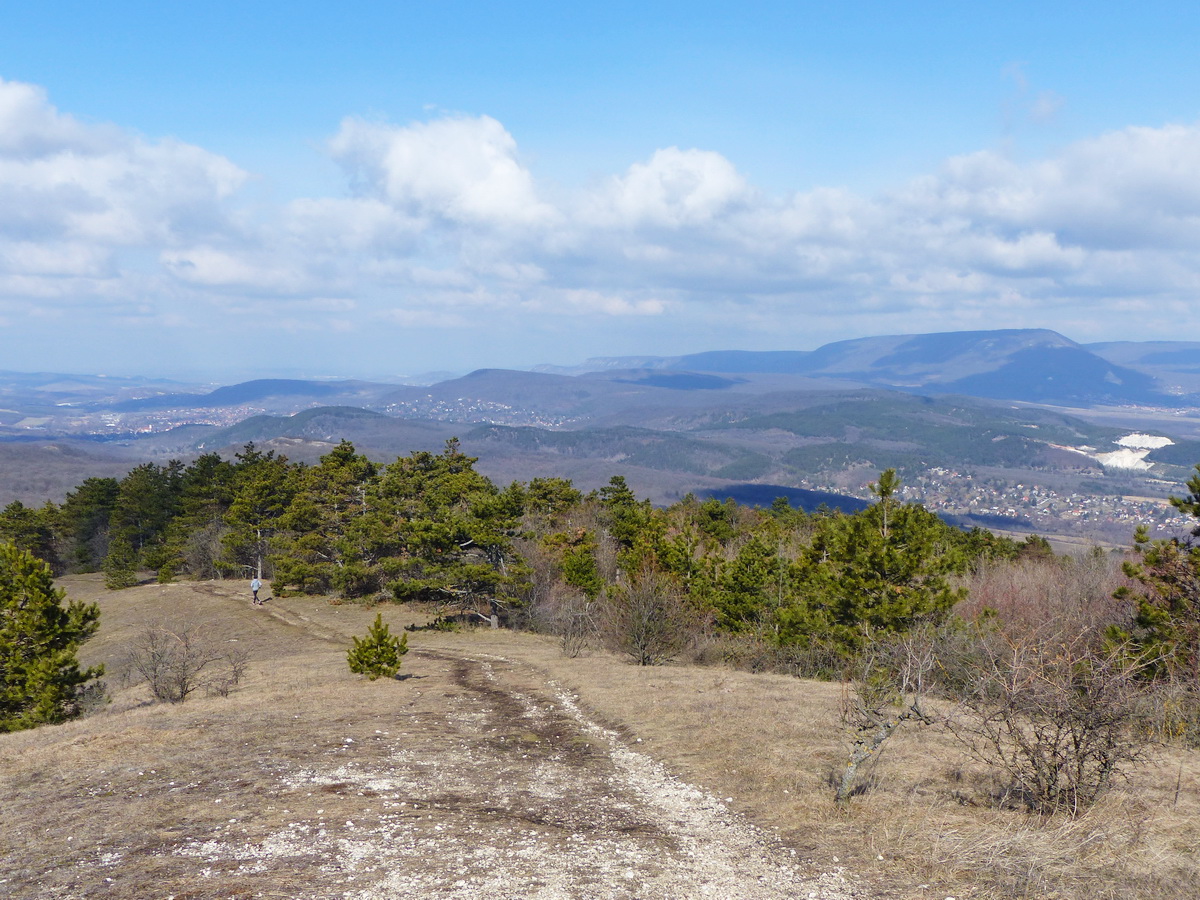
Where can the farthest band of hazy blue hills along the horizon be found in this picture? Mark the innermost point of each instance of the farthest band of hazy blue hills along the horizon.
(1035, 365)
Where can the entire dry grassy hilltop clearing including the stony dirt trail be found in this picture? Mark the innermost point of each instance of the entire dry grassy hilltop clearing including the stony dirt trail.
(499, 769)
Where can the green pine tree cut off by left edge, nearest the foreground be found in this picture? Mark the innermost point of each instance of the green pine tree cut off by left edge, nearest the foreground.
(40, 679)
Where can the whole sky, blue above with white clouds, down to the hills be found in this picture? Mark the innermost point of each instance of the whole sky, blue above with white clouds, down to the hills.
(232, 190)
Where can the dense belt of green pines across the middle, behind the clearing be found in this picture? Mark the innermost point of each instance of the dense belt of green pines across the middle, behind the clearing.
(430, 527)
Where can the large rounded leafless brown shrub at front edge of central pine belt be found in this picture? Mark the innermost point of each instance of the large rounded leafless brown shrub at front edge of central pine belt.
(647, 619)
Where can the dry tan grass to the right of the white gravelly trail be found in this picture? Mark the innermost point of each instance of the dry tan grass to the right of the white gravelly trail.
(926, 826)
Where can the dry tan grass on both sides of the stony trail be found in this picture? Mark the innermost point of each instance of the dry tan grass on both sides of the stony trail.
(139, 799)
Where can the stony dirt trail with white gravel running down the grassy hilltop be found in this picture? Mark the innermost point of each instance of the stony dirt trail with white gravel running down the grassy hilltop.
(517, 793)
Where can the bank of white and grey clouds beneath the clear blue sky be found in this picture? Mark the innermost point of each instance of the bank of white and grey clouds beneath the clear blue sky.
(446, 250)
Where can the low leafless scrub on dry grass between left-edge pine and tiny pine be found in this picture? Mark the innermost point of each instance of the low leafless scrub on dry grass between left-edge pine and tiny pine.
(178, 662)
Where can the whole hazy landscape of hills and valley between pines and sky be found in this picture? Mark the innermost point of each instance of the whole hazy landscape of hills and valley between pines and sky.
(976, 416)
